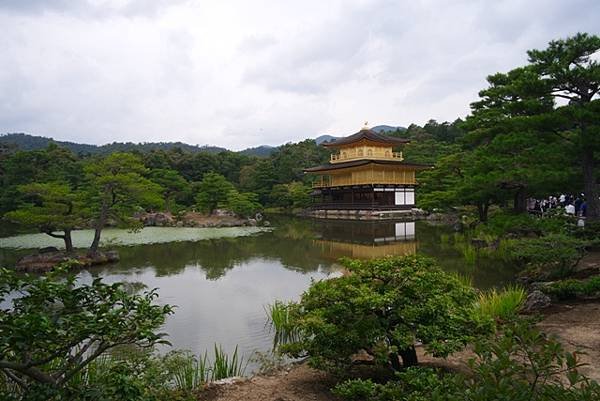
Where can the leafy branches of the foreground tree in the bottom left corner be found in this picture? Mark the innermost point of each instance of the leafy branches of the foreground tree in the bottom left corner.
(56, 326)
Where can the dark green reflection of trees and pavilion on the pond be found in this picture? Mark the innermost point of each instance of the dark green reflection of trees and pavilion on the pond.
(303, 245)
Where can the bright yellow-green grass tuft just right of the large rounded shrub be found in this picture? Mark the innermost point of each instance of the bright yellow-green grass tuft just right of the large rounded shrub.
(501, 305)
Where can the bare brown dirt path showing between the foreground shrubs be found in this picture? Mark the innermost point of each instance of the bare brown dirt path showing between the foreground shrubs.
(577, 326)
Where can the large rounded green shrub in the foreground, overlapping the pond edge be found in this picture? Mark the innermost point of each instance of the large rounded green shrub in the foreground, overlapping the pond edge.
(383, 307)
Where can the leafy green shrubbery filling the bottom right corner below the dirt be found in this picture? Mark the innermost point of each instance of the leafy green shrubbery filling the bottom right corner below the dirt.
(519, 363)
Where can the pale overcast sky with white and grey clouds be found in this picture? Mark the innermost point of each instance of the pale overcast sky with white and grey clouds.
(250, 72)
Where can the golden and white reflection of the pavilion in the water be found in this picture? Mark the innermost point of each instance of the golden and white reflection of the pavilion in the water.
(366, 239)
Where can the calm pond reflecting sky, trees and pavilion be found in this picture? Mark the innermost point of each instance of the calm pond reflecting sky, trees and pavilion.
(221, 280)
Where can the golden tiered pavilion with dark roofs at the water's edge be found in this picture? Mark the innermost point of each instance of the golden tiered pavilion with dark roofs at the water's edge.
(365, 172)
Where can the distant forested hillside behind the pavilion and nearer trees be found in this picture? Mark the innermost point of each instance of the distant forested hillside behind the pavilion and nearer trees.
(276, 178)
